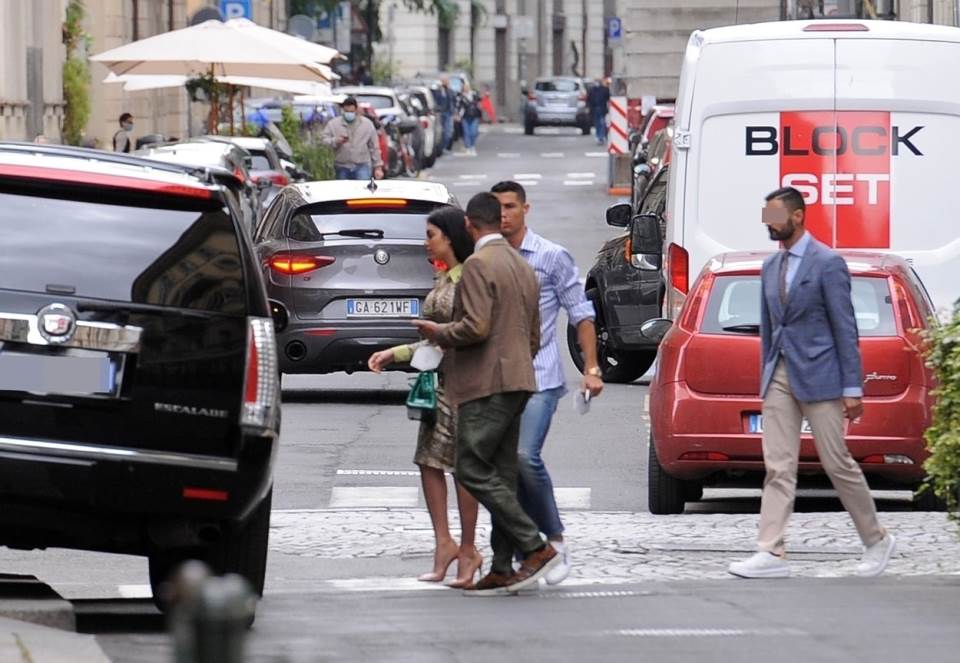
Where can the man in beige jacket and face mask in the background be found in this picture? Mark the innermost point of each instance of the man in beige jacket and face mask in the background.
(354, 141)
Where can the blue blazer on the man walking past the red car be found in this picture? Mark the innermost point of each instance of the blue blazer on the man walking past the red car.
(815, 332)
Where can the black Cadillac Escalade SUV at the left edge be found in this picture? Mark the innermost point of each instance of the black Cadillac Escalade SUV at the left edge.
(139, 397)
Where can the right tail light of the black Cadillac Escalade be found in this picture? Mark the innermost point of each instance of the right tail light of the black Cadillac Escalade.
(261, 388)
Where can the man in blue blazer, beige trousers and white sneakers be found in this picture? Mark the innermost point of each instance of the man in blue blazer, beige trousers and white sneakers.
(811, 370)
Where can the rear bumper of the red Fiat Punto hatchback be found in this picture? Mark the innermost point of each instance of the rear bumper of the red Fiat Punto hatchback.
(683, 421)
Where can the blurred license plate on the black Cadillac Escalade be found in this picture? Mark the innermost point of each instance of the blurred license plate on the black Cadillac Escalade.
(86, 374)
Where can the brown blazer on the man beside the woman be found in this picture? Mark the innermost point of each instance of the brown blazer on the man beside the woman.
(495, 333)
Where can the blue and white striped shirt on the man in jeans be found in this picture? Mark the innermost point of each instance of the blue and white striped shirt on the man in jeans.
(559, 287)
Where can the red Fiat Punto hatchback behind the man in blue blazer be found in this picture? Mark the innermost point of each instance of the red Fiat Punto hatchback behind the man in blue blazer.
(705, 422)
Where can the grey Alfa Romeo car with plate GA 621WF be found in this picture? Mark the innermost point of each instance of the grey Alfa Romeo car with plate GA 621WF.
(346, 269)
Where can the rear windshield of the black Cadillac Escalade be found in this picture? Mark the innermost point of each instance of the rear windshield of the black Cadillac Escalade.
(183, 254)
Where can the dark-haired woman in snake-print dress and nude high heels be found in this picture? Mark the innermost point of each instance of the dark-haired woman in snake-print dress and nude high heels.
(448, 244)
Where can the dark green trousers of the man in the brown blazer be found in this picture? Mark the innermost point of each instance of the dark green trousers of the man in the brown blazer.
(488, 433)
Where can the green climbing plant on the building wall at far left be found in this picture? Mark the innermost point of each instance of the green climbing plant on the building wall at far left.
(76, 74)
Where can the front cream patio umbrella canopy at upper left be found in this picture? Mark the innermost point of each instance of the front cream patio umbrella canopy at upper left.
(237, 47)
